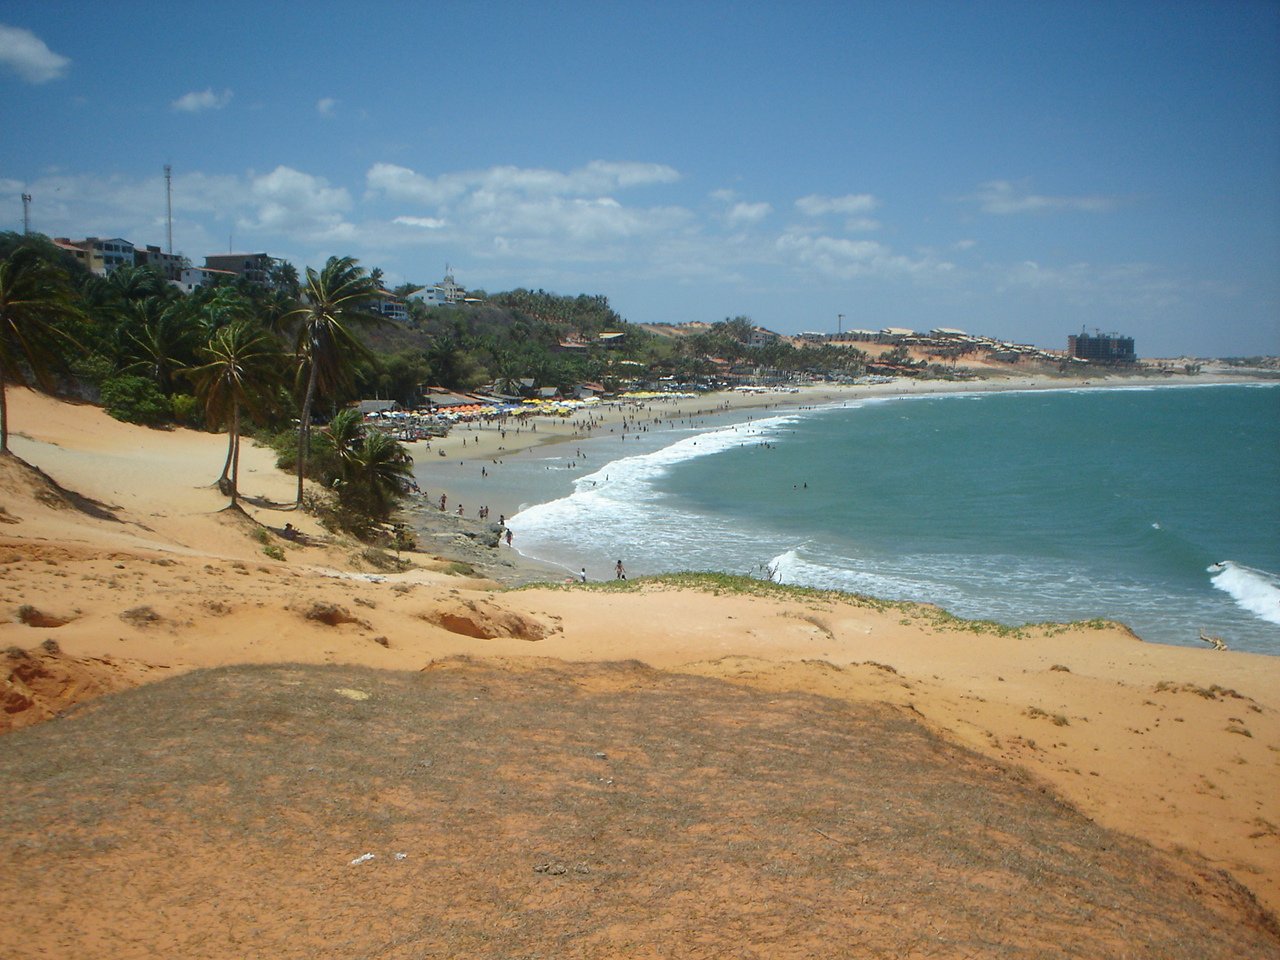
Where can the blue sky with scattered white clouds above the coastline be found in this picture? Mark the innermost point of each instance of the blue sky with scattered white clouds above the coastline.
(1014, 170)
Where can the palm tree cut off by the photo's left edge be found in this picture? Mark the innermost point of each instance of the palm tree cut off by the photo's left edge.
(35, 299)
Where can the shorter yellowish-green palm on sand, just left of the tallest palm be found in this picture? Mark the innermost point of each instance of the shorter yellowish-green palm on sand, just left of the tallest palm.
(241, 364)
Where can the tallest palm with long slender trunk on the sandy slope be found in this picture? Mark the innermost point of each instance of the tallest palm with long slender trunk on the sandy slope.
(332, 301)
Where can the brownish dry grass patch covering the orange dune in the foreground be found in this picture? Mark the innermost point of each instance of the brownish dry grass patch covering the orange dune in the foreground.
(565, 811)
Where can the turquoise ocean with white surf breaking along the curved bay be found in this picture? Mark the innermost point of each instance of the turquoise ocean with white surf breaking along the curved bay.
(1158, 508)
